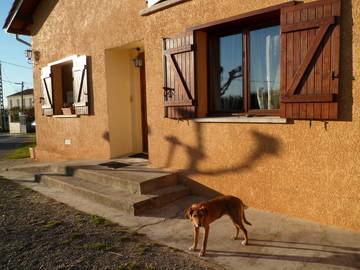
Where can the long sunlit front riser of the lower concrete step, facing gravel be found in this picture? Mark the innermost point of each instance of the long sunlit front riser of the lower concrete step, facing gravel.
(87, 194)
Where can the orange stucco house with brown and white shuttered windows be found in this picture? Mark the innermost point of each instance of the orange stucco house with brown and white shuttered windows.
(258, 99)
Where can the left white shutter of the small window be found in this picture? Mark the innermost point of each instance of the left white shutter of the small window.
(46, 91)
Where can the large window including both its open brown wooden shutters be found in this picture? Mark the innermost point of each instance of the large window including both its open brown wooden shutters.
(281, 60)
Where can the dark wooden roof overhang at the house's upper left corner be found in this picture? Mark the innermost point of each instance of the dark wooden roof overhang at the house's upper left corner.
(19, 19)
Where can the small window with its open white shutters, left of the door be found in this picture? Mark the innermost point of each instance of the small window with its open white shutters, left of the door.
(65, 85)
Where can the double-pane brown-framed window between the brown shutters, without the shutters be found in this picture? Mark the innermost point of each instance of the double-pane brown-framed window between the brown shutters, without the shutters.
(236, 90)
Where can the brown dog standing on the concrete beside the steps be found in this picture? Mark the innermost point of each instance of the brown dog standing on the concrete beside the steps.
(202, 214)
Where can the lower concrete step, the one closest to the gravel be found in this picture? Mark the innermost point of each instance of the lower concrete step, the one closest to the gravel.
(130, 203)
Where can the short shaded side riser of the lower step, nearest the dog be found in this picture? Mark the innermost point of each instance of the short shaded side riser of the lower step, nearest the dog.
(160, 201)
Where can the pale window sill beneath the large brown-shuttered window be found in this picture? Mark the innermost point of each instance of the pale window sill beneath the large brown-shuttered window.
(243, 119)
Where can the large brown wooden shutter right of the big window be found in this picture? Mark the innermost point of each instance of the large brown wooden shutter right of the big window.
(310, 60)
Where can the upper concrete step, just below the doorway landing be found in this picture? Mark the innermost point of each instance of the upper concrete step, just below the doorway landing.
(133, 180)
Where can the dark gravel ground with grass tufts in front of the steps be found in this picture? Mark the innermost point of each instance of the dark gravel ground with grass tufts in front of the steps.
(39, 233)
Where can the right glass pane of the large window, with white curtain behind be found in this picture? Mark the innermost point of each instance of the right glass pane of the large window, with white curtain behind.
(265, 68)
